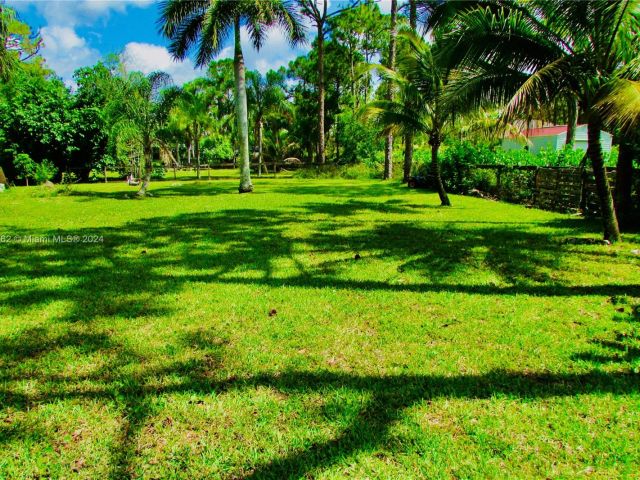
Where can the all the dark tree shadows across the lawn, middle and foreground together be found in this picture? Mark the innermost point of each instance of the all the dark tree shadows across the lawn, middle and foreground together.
(140, 262)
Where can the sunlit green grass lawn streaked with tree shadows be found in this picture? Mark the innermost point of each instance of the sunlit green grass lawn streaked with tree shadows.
(313, 329)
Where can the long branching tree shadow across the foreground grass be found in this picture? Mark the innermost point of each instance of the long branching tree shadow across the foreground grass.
(136, 396)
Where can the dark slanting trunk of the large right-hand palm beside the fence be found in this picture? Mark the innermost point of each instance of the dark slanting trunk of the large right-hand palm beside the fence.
(594, 150)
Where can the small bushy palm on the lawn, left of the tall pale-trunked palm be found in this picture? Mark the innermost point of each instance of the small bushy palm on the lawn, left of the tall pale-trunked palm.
(139, 109)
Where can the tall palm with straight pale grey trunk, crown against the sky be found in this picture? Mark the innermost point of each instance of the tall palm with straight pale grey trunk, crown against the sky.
(206, 24)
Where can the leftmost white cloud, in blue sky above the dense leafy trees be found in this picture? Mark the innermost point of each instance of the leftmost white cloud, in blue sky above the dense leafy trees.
(64, 51)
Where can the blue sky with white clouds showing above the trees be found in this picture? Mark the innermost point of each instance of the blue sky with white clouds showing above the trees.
(78, 33)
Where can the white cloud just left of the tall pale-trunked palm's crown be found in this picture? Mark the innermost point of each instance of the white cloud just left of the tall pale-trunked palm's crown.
(148, 58)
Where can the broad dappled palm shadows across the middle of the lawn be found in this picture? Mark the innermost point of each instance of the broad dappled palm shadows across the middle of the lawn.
(146, 259)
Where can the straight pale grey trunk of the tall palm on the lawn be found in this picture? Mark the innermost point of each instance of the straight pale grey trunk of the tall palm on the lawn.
(242, 116)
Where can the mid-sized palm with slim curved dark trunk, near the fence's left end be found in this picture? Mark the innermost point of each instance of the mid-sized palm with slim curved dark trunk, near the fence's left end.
(420, 105)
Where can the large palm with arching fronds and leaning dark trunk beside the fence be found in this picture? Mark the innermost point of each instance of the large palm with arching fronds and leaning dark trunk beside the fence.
(532, 54)
